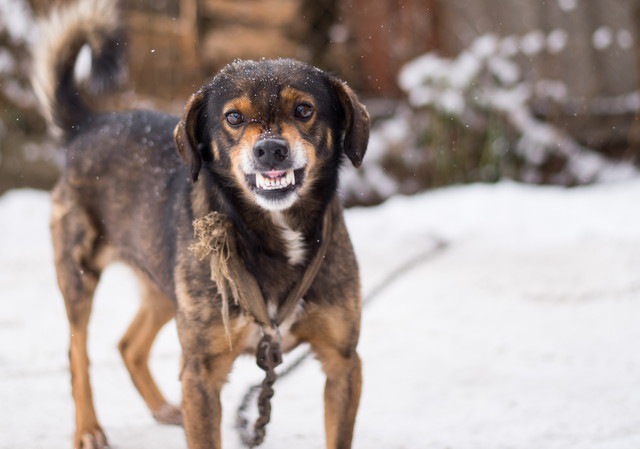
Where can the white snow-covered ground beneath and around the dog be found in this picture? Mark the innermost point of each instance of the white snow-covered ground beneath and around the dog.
(524, 333)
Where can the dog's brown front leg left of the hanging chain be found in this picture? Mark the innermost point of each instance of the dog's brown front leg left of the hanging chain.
(202, 381)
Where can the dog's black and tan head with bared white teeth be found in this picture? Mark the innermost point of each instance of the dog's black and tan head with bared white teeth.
(272, 128)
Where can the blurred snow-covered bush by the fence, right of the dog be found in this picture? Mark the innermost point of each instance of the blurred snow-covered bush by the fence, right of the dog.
(470, 118)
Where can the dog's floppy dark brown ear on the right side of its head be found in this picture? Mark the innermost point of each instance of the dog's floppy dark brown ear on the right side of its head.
(356, 127)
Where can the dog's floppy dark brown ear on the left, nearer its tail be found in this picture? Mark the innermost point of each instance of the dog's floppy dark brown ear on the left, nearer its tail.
(187, 135)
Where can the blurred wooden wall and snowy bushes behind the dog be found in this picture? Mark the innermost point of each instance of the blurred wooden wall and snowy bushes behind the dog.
(459, 90)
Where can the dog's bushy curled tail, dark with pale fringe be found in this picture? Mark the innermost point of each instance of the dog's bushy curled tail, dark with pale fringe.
(79, 50)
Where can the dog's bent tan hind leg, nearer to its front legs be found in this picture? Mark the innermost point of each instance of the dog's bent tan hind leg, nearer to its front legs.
(155, 311)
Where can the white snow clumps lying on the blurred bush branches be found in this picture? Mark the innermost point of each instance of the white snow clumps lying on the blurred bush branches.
(484, 87)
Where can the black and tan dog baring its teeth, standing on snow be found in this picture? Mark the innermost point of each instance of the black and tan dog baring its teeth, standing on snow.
(261, 143)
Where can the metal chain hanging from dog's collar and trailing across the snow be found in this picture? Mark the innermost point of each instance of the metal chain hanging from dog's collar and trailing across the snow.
(269, 356)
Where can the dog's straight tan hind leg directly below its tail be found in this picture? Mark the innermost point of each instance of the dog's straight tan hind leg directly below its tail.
(74, 240)
